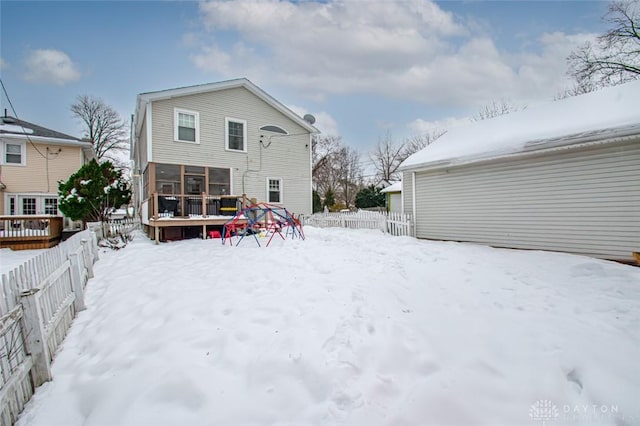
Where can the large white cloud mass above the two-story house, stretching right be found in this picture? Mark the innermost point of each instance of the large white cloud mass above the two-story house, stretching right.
(407, 50)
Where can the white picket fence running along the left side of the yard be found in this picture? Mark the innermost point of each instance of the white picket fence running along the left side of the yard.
(38, 301)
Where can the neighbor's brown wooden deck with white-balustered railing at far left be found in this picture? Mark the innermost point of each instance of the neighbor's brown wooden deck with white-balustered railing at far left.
(30, 232)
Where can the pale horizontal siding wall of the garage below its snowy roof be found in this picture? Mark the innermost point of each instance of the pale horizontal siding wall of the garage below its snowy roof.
(585, 202)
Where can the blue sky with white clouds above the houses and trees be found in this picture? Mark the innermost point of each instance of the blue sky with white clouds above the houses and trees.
(363, 68)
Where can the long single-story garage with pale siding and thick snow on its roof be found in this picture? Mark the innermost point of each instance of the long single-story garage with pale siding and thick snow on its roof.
(562, 176)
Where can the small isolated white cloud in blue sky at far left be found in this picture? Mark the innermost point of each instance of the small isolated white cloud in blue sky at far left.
(50, 66)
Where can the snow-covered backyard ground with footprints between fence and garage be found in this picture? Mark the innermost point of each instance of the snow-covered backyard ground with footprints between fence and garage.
(348, 328)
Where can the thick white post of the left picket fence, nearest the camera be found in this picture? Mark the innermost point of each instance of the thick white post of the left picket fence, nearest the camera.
(35, 337)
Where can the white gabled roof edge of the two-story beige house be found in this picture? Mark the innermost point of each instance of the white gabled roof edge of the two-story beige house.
(145, 98)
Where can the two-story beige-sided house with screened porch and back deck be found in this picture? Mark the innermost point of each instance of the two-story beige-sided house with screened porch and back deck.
(214, 141)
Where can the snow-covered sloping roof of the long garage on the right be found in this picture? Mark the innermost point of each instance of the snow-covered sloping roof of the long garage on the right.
(613, 112)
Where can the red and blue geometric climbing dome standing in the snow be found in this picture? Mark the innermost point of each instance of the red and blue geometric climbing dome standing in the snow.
(264, 220)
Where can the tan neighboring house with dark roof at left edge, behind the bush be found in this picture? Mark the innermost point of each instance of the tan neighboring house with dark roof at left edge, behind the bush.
(33, 160)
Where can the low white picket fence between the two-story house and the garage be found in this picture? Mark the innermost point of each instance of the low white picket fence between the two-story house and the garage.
(393, 223)
